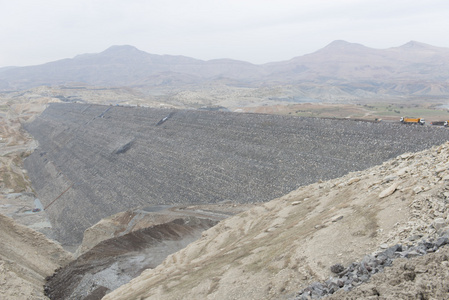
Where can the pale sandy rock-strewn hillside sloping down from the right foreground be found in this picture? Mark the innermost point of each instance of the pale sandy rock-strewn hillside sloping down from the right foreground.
(281, 247)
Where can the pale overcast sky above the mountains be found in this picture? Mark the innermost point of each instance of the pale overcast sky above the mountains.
(258, 31)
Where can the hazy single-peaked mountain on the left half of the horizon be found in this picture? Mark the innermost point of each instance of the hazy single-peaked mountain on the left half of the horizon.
(123, 66)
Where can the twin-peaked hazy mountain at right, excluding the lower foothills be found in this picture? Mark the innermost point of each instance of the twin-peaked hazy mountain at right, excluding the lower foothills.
(343, 61)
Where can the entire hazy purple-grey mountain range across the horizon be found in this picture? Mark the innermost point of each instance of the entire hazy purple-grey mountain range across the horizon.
(413, 69)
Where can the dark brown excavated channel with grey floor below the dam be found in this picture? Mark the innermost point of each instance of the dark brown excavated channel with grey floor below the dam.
(116, 261)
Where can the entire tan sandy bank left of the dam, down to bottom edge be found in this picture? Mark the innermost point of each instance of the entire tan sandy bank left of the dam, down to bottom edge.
(26, 256)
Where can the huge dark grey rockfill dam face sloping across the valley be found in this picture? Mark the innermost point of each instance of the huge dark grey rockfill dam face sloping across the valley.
(94, 161)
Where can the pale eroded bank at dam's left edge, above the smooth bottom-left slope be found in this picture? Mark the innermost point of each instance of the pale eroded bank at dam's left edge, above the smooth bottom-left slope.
(16, 195)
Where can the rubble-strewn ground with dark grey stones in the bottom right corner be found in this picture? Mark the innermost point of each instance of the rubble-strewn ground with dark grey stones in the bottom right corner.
(346, 279)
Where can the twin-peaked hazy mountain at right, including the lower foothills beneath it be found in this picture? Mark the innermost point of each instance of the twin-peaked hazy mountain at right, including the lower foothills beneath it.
(353, 70)
